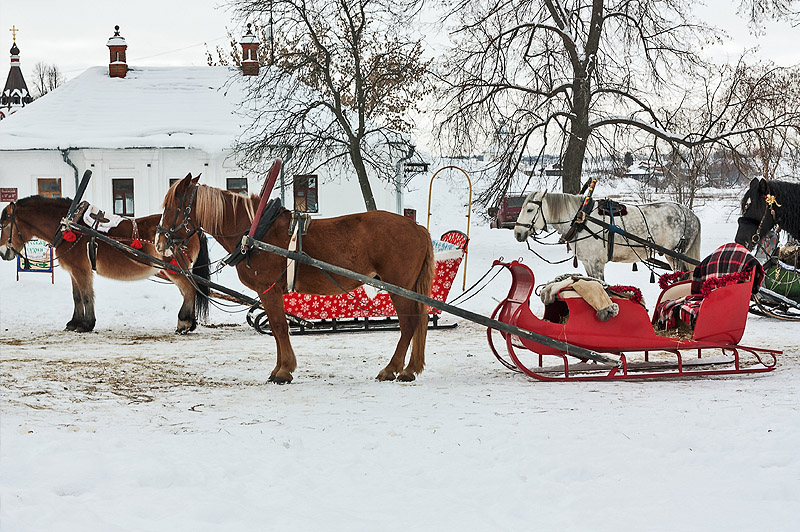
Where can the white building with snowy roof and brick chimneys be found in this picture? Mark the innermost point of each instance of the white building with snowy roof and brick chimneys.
(140, 128)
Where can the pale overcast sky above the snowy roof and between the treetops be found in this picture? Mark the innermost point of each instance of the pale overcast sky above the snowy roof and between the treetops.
(73, 34)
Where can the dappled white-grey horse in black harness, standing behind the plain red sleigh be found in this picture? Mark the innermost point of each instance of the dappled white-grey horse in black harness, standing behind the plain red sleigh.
(667, 224)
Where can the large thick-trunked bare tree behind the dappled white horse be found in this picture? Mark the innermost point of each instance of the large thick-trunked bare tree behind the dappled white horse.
(570, 76)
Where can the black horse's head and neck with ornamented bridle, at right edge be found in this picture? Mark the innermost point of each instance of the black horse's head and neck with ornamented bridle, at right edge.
(767, 204)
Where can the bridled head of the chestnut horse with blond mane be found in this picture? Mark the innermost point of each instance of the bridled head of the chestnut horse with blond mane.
(175, 226)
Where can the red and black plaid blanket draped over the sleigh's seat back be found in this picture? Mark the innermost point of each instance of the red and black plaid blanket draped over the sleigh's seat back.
(726, 265)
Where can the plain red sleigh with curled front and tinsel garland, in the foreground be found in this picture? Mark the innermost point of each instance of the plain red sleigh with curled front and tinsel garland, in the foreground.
(630, 335)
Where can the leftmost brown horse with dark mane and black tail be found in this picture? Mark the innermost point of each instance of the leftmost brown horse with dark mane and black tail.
(40, 217)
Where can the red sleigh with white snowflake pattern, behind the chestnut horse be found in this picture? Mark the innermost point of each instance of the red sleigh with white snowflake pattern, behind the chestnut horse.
(359, 310)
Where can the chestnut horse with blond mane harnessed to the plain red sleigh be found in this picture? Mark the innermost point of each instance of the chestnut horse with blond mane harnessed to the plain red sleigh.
(376, 243)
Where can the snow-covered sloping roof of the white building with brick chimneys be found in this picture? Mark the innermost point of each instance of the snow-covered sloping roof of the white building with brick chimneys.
(165, 107)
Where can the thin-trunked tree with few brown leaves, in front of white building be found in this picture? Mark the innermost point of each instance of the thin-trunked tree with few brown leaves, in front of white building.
(345, 74)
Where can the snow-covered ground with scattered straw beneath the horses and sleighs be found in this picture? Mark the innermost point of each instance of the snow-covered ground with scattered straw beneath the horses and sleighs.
(132, 428)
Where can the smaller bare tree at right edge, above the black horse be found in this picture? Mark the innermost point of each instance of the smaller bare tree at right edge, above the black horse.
(742, 121)
